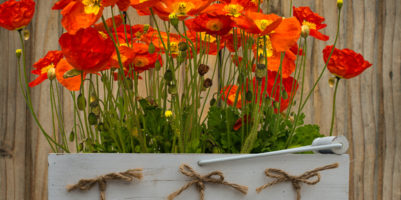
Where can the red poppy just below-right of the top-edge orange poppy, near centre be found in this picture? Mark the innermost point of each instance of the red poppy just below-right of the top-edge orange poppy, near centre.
(211, 24)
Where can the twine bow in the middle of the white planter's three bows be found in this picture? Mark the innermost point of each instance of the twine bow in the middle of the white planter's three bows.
(216, 177)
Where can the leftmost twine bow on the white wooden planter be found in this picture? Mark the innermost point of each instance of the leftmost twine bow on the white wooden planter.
(86, 184)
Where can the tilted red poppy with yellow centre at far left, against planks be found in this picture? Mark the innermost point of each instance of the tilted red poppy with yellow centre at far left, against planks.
(43, 65)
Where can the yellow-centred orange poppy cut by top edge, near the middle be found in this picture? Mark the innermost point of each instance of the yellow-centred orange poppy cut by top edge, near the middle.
(181, 8)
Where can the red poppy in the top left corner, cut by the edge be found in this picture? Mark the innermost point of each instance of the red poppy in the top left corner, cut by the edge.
(16, 14)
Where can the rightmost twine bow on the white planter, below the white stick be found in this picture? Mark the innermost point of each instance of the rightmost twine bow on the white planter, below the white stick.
(282, 176)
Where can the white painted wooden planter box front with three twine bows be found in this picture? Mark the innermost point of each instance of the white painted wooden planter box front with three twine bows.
(162, 176)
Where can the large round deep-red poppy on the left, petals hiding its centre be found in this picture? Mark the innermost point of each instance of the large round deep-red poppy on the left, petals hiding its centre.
(88, 50)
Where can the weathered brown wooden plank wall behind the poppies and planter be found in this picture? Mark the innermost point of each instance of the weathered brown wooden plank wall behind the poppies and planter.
(368, 111)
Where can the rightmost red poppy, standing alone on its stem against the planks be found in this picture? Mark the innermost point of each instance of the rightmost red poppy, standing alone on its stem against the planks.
(345, 63)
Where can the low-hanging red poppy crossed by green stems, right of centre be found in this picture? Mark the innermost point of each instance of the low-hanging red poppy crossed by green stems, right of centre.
(288, 85)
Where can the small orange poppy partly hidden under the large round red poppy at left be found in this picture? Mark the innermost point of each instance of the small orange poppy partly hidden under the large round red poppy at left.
(73, 83)
